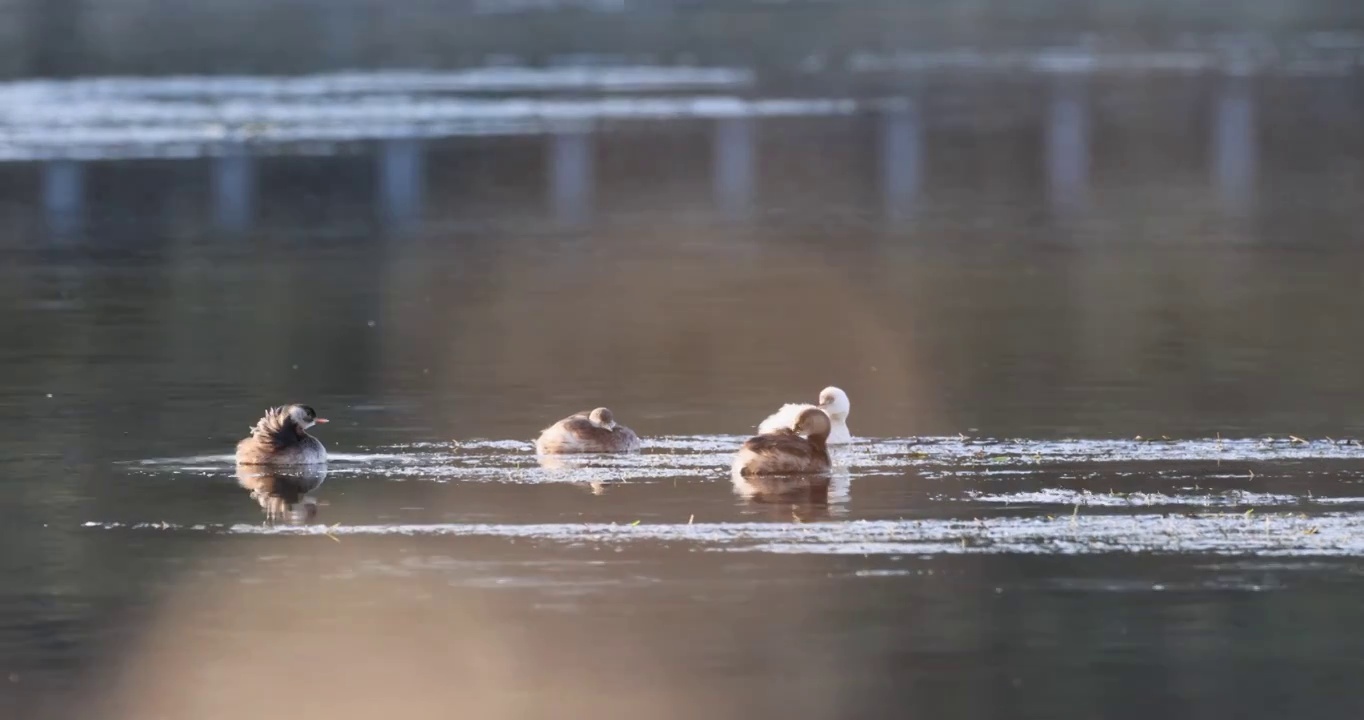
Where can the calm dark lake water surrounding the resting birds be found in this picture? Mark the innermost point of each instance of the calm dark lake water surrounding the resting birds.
(1101, 342)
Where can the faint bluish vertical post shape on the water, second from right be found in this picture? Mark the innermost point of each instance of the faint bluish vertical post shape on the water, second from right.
(1069, 142)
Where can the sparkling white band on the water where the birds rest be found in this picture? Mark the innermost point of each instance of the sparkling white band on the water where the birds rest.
(709, 457)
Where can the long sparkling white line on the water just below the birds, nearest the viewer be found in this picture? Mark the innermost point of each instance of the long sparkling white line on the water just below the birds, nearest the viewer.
(1215, 534)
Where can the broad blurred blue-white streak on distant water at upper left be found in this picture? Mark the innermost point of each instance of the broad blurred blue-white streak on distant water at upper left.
(110, 130)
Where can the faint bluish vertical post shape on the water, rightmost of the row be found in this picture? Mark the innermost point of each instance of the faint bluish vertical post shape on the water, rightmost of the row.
(1234, 145)
